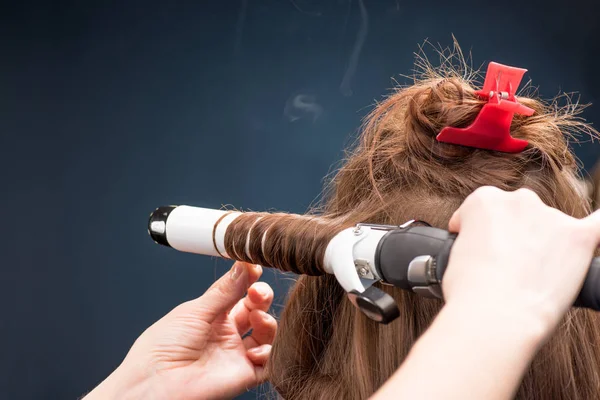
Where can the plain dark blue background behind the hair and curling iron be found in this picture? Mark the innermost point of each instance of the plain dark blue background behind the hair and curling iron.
(108, 110)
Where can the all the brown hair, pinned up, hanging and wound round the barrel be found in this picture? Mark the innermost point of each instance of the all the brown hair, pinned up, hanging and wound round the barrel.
(325, 348)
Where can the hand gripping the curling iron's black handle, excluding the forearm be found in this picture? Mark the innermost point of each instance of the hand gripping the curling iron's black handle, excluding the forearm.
(515, 255)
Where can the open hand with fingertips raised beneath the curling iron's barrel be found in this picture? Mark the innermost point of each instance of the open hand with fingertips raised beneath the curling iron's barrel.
(197, 351)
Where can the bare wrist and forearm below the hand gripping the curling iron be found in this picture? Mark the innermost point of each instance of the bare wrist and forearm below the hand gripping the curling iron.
(473, 349)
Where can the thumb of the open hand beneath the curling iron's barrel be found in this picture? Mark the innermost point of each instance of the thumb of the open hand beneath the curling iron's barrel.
(224, 293)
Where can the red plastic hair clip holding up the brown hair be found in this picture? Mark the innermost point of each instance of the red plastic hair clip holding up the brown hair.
(491, 128)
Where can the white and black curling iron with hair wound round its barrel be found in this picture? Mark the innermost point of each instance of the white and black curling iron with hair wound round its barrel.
(412, 256)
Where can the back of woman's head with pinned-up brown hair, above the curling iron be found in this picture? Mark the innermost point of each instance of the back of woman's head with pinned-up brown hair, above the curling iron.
(398, 162)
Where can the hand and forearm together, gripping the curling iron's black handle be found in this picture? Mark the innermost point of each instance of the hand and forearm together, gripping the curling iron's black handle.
(516, 267)
